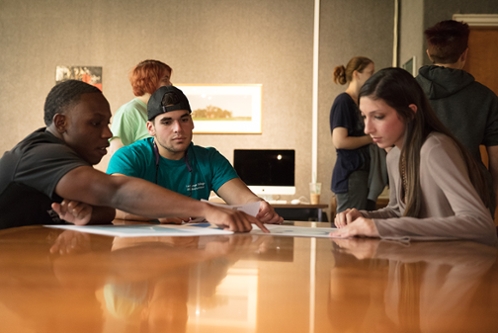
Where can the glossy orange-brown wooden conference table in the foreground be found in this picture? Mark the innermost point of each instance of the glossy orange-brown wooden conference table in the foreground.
(63, 281)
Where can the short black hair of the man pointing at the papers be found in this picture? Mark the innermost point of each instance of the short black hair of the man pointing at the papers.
(64, 95)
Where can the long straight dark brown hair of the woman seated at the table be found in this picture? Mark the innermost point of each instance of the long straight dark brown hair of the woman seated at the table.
(397, 88)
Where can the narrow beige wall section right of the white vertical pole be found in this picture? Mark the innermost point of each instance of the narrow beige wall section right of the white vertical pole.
(348, 28)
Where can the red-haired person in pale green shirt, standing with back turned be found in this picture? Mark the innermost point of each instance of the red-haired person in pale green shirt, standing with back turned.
(128, 124)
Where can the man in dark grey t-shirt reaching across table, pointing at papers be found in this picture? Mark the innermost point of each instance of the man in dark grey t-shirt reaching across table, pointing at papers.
(49, 175)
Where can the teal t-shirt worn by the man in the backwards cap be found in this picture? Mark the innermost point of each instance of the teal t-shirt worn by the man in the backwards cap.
(204, 169)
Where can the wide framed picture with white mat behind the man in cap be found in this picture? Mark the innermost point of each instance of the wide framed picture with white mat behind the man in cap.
(224, 108)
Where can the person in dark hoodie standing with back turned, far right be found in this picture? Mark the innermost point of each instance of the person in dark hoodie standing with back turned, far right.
(466, 107)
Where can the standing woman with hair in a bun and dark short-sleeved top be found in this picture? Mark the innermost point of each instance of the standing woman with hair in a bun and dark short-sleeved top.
(351, 170)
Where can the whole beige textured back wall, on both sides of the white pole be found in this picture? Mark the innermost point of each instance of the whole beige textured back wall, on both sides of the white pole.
(205, 41)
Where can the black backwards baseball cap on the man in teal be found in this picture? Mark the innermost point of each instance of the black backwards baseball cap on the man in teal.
(166, 99)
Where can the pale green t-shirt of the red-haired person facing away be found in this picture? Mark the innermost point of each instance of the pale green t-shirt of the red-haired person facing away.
(129, 122)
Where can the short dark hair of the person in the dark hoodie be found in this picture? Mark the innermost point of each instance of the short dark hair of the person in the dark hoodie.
(447, 40)
